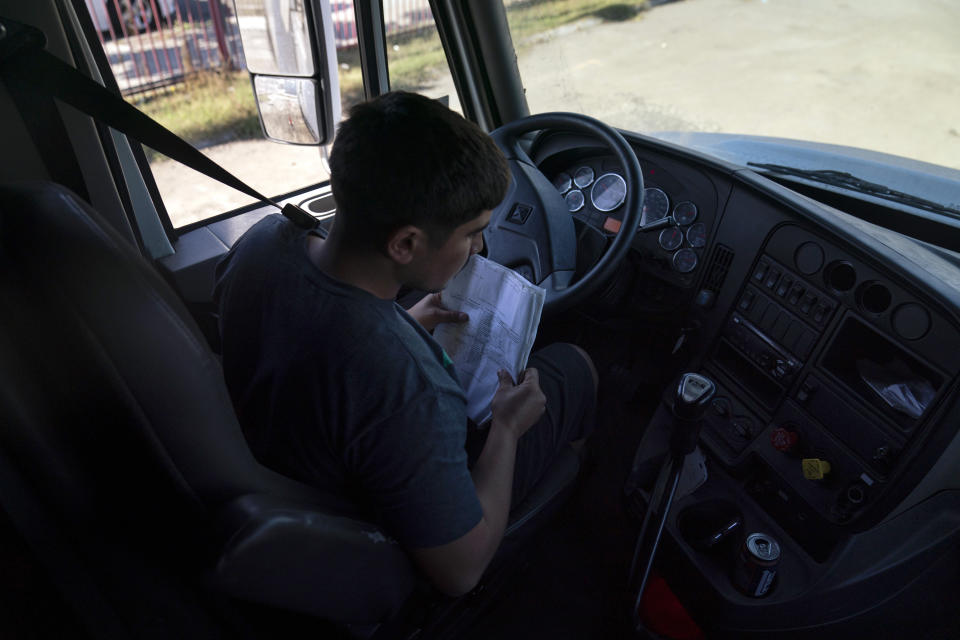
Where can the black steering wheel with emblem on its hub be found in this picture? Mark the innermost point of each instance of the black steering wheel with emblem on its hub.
(532, 230)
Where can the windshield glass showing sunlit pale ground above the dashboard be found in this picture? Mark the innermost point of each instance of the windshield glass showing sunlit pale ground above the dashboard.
(882, 75)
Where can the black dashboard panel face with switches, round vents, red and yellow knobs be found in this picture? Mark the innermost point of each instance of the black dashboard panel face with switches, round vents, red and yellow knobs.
(828, 372)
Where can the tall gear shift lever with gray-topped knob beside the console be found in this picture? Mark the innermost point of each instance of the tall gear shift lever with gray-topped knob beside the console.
(690, 401)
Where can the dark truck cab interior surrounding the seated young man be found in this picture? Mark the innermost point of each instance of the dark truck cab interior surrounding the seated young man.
(827, 322)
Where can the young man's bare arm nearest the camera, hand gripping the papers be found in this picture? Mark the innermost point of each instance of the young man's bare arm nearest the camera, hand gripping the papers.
(456, 567)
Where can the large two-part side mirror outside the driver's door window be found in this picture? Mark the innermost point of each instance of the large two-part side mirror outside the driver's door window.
(292, 60)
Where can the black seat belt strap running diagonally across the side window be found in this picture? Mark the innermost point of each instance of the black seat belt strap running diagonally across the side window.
(25, 64)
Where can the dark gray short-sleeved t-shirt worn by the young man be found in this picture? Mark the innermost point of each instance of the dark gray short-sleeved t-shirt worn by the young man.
(343, 390)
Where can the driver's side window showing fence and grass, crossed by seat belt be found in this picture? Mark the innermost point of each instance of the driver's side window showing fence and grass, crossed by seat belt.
(181, 62)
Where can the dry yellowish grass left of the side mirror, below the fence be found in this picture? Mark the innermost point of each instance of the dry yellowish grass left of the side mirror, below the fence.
(210, 107)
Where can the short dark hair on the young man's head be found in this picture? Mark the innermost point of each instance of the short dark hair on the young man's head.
(405, 159)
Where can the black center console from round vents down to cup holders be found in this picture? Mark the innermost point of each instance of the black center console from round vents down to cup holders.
(829, 376)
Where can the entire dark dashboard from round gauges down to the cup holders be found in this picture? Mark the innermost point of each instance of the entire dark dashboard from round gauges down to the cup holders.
(833, 345)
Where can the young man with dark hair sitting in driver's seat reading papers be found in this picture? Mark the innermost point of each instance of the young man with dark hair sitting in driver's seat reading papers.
(337, 386)
